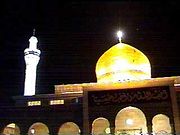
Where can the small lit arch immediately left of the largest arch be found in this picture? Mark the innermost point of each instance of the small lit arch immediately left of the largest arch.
(100, 126)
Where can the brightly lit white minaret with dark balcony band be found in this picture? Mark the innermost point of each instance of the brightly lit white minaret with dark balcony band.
(31, 56)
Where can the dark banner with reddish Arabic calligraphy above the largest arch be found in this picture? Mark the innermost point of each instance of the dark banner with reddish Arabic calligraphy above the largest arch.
(108, 97)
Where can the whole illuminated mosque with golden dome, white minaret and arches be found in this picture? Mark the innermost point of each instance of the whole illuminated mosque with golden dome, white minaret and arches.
(125, 100)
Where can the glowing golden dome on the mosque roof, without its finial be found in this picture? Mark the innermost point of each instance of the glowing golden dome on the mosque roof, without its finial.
(122, 62)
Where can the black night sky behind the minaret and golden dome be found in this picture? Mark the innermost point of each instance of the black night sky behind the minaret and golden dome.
(73, 35)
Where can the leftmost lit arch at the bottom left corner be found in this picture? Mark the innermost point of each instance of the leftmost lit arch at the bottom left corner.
(11, 129)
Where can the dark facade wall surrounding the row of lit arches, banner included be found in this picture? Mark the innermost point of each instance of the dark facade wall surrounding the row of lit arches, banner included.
(84, 113)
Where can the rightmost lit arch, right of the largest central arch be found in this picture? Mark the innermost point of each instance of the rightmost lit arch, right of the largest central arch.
(161, 124)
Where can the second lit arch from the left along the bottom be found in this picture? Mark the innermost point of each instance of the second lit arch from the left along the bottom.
(38, 128)
